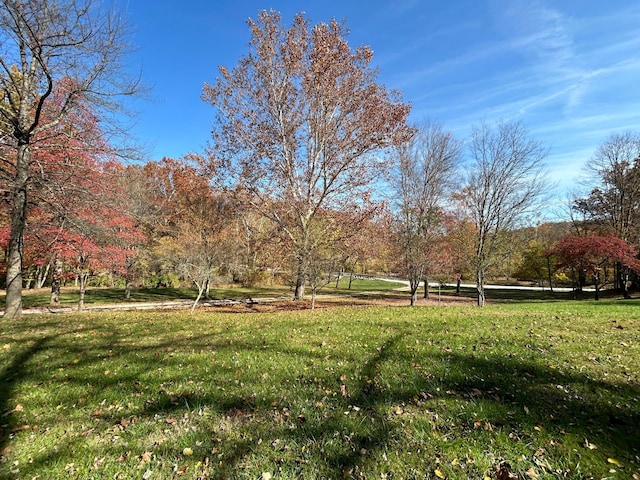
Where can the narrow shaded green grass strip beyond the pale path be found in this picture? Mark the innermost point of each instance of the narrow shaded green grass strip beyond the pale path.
(101, 296)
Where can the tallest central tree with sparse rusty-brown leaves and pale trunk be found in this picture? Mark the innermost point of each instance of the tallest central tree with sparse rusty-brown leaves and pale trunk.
(299, 124)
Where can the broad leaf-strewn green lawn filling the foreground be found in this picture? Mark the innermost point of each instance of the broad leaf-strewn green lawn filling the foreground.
(529, 390)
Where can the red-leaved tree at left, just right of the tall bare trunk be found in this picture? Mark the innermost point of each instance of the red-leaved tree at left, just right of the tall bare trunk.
(90, 230)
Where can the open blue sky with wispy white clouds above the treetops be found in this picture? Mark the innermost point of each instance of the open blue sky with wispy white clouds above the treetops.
(569, 70)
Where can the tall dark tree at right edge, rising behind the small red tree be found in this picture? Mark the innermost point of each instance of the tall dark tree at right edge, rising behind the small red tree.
(613, 205)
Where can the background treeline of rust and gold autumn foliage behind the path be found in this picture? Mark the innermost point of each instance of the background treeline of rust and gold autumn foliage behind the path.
(166, 224)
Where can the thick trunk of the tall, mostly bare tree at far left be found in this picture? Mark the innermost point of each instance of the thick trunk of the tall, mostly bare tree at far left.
(13, 305)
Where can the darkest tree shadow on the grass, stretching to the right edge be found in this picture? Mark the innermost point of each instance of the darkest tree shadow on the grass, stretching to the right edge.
(535, 395)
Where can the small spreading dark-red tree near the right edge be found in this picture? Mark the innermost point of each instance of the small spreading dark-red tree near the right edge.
(591, 254)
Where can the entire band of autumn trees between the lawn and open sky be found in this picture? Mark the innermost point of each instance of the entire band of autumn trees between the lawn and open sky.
(313, 170)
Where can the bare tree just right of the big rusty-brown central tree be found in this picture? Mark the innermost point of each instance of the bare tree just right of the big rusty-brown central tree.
(426, 172)
